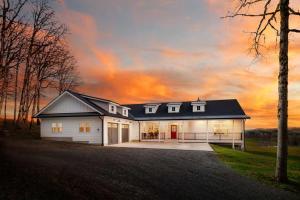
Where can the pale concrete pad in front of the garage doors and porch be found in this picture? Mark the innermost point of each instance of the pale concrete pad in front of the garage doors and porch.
(166, 145)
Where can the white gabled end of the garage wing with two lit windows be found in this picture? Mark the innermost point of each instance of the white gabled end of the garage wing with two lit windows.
(68, 118)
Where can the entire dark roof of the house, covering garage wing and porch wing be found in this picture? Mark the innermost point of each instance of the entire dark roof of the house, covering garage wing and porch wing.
(214, 109)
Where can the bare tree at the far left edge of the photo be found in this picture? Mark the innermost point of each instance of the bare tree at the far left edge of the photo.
(11, 41)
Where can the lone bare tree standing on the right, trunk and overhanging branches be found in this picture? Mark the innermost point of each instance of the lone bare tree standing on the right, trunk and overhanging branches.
(271, 10)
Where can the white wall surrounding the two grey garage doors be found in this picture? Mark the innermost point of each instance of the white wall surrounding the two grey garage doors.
(119, 121)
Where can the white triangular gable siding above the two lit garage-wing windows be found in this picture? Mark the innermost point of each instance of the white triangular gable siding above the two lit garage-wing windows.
(68, 104)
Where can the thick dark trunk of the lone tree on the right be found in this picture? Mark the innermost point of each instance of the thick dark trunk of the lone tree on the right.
(282, 140)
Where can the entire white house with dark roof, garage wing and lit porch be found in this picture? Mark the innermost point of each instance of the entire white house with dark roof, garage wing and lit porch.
(82, 118)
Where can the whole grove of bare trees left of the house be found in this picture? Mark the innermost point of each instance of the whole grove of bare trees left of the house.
(34, 56)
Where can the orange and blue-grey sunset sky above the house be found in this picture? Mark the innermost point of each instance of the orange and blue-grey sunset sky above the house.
(135, 51)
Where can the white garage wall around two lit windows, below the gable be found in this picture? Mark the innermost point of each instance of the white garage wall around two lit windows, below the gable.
(70, 129)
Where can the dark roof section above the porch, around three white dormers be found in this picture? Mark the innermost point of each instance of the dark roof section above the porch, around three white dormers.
(214, 109)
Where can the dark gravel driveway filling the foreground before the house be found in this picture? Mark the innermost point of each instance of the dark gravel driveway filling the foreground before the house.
(34, 169)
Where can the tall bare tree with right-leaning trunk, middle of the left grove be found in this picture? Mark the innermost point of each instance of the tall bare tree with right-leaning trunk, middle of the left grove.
(45, 31)
